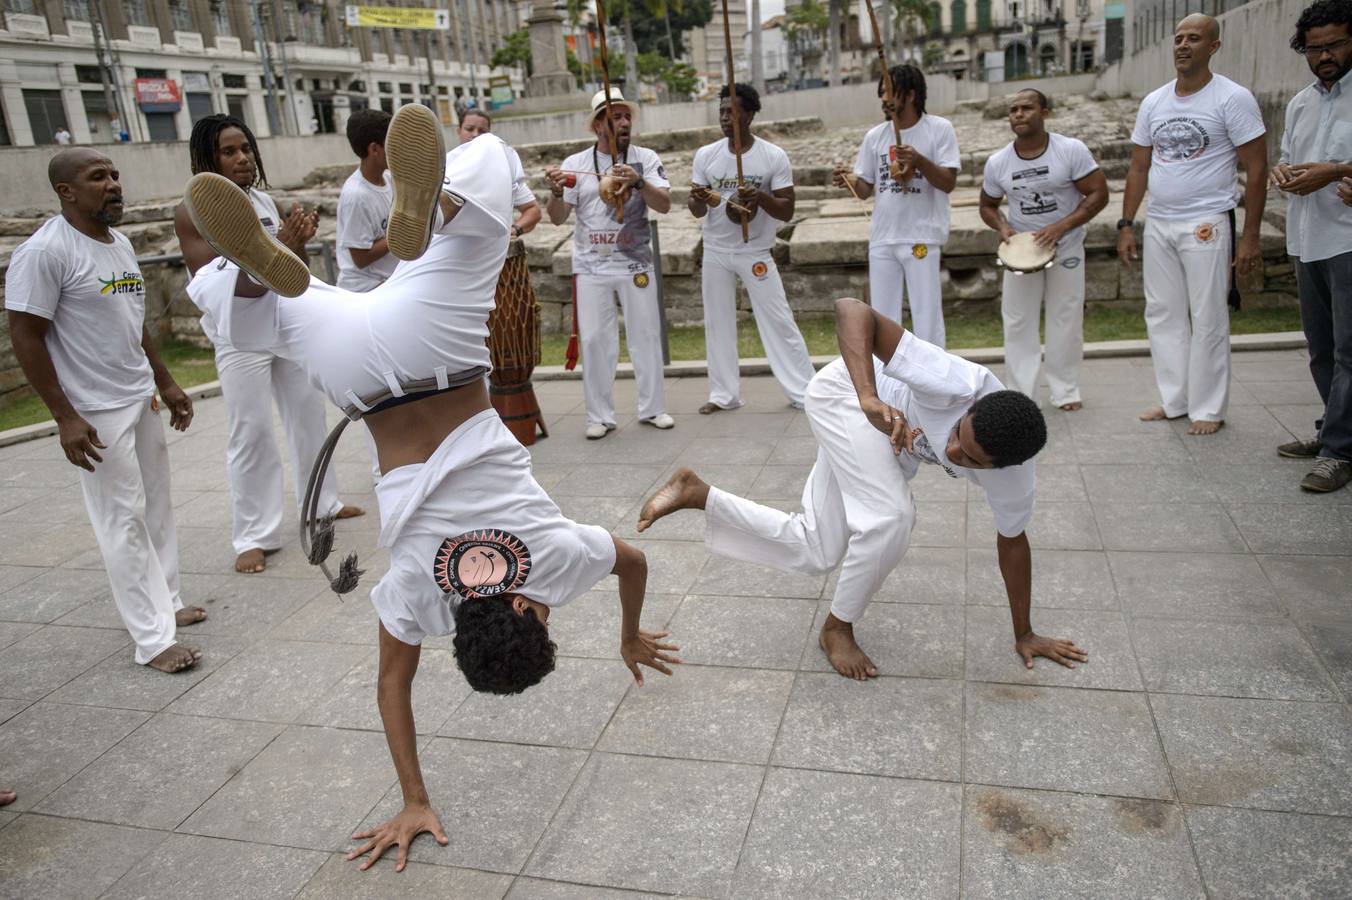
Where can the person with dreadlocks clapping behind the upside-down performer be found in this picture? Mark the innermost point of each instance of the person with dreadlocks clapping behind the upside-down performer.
(226, 147)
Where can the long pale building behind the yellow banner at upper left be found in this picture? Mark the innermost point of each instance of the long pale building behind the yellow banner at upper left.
(148, 70)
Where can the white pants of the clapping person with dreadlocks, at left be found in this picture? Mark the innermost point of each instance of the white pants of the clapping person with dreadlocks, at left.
(251, 382)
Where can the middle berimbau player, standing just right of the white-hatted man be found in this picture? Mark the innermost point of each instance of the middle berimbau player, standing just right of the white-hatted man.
(769, 194)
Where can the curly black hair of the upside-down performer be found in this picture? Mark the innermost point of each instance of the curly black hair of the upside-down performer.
(501, 651)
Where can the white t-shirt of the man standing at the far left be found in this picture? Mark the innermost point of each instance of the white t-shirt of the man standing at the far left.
(95, 298)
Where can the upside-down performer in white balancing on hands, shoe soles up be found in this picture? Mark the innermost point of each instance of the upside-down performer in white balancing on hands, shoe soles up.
(477, 547)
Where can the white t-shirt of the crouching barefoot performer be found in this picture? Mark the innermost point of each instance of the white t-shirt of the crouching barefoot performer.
(936, 390)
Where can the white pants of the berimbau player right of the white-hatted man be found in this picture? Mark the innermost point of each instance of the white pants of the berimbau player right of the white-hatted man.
(785, 345)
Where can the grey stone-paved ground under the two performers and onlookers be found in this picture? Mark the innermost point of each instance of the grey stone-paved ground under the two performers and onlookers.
(1203, 751)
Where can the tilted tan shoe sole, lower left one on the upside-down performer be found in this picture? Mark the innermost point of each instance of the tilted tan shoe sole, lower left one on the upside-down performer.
(229, 224)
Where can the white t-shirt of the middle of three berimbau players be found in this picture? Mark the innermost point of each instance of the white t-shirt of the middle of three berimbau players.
(765, 167)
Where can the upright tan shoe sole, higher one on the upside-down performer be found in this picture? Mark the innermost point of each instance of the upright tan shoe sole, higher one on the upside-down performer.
(416, 152)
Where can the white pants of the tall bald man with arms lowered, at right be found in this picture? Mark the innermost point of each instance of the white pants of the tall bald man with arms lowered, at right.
(1186, 316)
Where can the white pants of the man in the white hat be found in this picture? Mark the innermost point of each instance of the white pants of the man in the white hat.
(598, 330)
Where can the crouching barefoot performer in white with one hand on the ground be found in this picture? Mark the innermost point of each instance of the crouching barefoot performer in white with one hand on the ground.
(931, 407)
